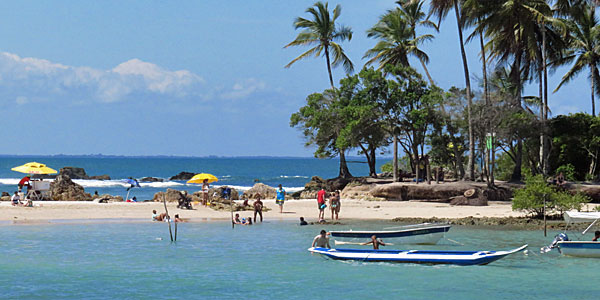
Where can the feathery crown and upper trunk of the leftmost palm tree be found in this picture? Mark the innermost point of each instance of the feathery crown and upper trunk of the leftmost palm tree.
(321, 32)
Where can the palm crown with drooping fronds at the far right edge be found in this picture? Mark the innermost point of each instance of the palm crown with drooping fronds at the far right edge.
(585, 49)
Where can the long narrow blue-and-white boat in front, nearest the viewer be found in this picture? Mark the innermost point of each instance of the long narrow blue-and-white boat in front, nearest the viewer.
(416, 256)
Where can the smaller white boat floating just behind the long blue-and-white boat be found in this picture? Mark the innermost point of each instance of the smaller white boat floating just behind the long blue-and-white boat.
(426, 233)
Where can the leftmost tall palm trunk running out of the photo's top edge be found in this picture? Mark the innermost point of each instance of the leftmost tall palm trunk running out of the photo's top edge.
(440, 8)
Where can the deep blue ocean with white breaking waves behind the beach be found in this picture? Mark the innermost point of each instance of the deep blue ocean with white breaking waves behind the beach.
(237, 172)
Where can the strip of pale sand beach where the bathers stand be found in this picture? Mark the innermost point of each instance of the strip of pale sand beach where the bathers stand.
(293, 209)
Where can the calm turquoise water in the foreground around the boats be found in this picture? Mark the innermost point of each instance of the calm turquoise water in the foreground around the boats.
(268, 261)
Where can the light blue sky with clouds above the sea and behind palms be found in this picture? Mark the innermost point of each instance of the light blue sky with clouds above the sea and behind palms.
(186, 78)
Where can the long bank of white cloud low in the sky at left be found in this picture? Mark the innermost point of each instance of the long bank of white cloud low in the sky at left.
(24, 78)
